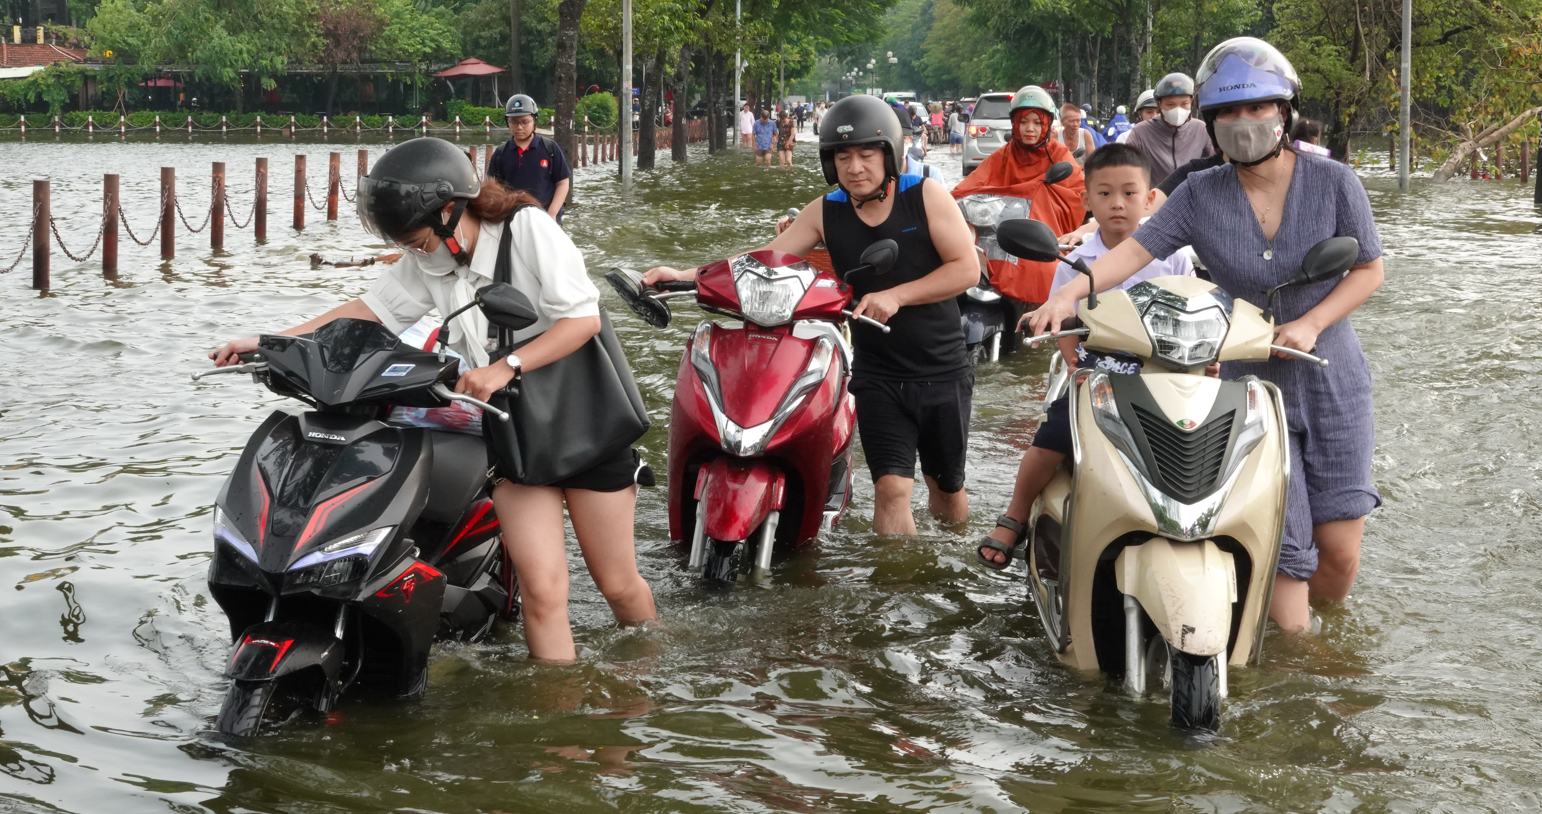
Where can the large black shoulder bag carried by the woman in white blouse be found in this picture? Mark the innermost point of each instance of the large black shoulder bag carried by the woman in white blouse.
(570, 415)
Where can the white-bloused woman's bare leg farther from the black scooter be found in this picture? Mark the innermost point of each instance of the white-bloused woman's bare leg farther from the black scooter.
(604, 523)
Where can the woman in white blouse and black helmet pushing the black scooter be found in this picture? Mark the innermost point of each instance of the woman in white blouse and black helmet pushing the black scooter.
(451, 229)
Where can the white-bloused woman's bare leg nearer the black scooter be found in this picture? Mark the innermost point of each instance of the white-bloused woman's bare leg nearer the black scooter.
(533, 531)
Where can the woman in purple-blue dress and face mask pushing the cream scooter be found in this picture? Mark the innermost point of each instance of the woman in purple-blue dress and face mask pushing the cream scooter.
(1251, 223)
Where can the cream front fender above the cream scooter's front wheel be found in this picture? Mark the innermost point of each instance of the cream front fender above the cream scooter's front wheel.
(1187, 590)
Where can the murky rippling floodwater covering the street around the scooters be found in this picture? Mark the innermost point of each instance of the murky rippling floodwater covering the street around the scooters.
(870, 676)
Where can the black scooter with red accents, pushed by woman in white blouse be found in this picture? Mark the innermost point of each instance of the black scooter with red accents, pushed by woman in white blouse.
(345, 547)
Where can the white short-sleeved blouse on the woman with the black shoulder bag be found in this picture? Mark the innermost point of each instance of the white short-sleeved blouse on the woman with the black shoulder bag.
(547, 267)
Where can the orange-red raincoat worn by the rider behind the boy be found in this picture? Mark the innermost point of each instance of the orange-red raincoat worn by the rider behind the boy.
(1018, 172)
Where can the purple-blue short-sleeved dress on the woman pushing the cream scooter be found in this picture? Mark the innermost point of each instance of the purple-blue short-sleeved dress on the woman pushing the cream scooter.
(1328, 411)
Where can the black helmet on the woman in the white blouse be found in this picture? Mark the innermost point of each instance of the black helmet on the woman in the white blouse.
(411, 184)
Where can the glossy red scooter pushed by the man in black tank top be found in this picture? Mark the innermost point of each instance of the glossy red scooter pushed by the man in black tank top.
(761, 428)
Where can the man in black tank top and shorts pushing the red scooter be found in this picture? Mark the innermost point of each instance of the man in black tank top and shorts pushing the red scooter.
(915, 385)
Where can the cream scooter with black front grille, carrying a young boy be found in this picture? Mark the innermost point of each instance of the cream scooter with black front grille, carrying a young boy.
(1153, 551)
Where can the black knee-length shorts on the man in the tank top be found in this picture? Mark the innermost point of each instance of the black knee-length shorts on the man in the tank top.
(900, 420)
